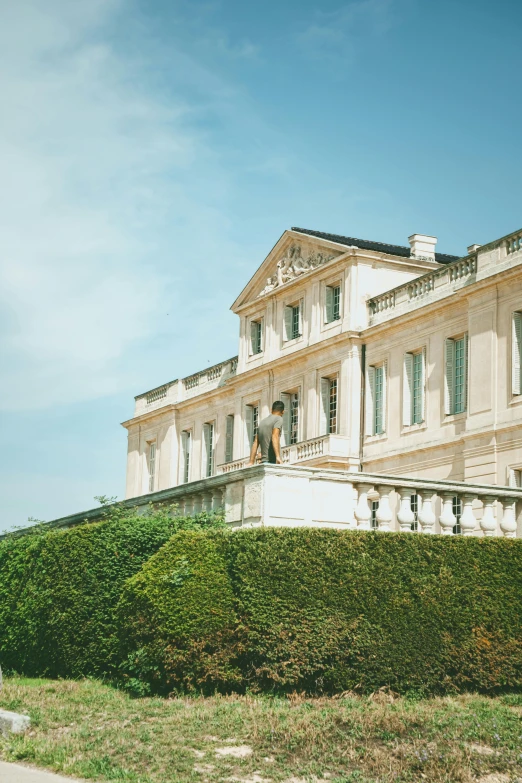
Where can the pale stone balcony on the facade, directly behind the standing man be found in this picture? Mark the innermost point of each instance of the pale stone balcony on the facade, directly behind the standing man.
(325, 451)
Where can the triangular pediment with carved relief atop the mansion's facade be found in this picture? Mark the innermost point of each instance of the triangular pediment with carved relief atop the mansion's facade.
(293, 256)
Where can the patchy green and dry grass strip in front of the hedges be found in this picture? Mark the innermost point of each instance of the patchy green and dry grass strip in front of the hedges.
(91, 730)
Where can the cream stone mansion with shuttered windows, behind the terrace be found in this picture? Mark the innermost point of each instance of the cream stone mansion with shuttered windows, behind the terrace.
(391, 360)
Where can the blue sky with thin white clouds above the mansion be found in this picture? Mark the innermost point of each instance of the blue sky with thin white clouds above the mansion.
(153, 151)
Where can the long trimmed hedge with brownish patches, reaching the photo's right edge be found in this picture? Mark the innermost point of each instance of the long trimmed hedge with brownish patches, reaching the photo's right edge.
(326, 611)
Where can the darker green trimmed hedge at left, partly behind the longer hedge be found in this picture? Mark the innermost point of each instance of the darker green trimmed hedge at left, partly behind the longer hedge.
(59, 590)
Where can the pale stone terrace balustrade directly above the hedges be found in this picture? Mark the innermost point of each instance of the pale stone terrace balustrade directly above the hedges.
(302, 496)
